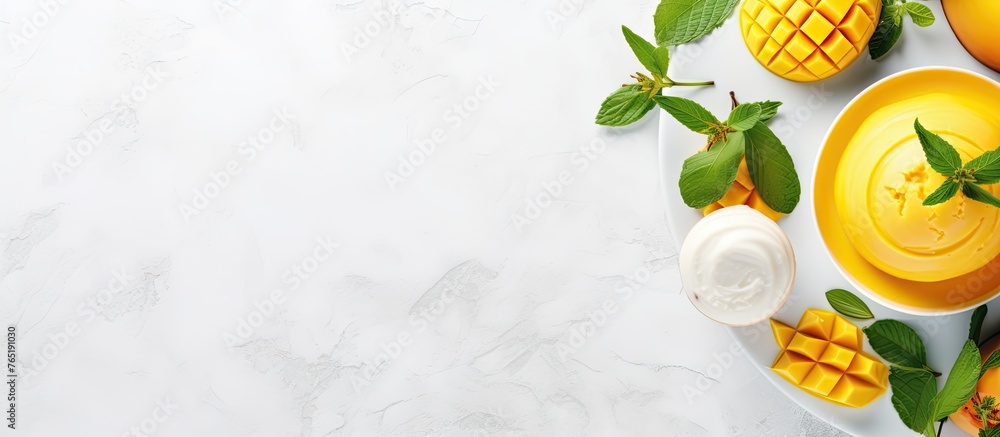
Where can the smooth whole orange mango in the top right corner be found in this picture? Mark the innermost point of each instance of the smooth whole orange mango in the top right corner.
(974, 24)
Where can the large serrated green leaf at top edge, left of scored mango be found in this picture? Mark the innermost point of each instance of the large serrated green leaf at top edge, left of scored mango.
(678, 22)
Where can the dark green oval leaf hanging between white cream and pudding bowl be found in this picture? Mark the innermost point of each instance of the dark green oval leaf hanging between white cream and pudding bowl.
(771, 169)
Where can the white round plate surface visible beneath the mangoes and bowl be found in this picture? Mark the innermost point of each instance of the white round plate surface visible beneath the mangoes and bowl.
(802, 122)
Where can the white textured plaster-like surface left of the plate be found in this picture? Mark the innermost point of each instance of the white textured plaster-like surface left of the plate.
(350, 217)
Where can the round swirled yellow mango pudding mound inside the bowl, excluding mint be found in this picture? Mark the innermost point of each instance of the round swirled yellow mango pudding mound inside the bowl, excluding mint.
(883, 178)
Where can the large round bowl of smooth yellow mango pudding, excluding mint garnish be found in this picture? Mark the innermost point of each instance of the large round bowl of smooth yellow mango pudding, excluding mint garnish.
(872, 179)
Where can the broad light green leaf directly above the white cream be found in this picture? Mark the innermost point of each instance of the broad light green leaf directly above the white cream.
(707, 176)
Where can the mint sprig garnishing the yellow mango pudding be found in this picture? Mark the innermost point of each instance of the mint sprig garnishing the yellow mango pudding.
(968, 178)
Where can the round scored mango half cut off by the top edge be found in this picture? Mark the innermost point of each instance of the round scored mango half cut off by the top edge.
(808, 40)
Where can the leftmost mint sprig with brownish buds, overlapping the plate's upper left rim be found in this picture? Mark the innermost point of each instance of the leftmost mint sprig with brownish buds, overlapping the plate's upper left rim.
(631, 102)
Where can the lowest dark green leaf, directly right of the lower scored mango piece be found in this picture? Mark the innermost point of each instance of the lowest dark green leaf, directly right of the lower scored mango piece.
(912, 392)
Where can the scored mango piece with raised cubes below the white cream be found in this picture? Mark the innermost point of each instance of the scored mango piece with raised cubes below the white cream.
(824, 356)
